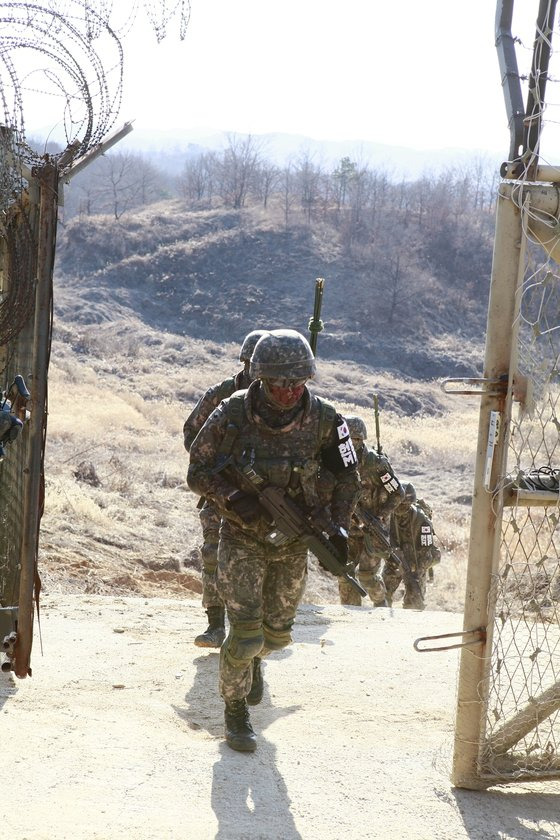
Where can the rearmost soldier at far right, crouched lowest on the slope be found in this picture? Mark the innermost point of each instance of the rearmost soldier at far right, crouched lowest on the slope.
(413, 534)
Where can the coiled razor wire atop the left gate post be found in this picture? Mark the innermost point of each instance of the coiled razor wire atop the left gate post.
(69, 54)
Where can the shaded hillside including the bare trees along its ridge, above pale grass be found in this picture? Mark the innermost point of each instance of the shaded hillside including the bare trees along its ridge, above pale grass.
(407, 264)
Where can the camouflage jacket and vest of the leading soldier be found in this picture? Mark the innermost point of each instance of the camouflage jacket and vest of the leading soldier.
(288, 456)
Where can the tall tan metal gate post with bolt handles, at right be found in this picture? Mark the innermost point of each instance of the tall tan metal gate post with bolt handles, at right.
(485, 534)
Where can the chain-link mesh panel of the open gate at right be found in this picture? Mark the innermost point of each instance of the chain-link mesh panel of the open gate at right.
(522, 727)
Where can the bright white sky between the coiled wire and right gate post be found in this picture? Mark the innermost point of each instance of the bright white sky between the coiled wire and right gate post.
(417, 73)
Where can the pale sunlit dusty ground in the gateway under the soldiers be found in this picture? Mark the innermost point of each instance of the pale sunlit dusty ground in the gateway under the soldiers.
(119, 734)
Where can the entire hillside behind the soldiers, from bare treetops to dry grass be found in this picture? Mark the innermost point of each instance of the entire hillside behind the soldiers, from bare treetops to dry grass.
(151, 305)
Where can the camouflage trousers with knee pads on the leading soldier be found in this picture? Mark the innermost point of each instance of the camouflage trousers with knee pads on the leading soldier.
(261, 587)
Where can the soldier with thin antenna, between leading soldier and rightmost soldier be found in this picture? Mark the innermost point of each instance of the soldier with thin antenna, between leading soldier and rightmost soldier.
(380, 494)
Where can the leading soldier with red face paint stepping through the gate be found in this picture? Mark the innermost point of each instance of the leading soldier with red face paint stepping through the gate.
(279, 431)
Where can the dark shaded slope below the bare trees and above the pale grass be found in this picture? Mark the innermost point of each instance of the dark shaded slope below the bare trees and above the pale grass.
(218, 274)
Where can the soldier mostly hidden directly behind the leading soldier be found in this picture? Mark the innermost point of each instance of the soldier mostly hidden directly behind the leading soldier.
(209, 515)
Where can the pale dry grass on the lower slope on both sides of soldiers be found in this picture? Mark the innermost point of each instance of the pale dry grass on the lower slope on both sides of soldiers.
(118, 397)
